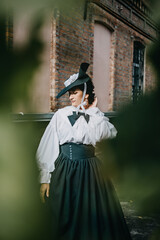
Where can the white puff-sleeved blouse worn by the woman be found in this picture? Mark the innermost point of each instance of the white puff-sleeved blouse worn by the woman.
(60, 131)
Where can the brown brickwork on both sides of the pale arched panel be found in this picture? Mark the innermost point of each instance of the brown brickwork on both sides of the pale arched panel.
(74, 44)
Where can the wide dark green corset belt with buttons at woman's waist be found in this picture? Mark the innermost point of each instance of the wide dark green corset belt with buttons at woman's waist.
(77, 151)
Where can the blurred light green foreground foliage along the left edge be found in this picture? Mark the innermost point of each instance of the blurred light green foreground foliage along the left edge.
(22, 214)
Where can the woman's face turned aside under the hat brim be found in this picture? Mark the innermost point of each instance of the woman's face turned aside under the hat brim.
(75, 96)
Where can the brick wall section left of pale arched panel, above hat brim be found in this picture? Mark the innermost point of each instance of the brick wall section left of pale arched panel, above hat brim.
(73, 45)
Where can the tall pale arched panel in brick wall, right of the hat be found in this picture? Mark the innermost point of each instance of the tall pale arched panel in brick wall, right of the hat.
(101, 64)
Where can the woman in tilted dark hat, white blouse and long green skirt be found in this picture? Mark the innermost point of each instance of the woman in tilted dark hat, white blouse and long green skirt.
(83, 204)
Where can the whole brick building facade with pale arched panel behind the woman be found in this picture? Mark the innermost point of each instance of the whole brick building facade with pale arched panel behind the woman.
(120, 72)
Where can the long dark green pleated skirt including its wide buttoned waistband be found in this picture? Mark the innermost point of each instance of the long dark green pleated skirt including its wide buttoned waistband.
(83, 204)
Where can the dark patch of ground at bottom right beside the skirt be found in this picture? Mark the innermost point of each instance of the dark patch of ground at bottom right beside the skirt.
(141, 227)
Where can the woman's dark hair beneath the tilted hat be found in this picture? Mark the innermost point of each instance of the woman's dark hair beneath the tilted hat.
(90, 90)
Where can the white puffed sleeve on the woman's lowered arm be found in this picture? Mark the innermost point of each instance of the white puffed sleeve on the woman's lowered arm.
(48, 151)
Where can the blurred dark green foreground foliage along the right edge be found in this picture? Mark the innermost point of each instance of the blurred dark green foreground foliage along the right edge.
(133, 158)
